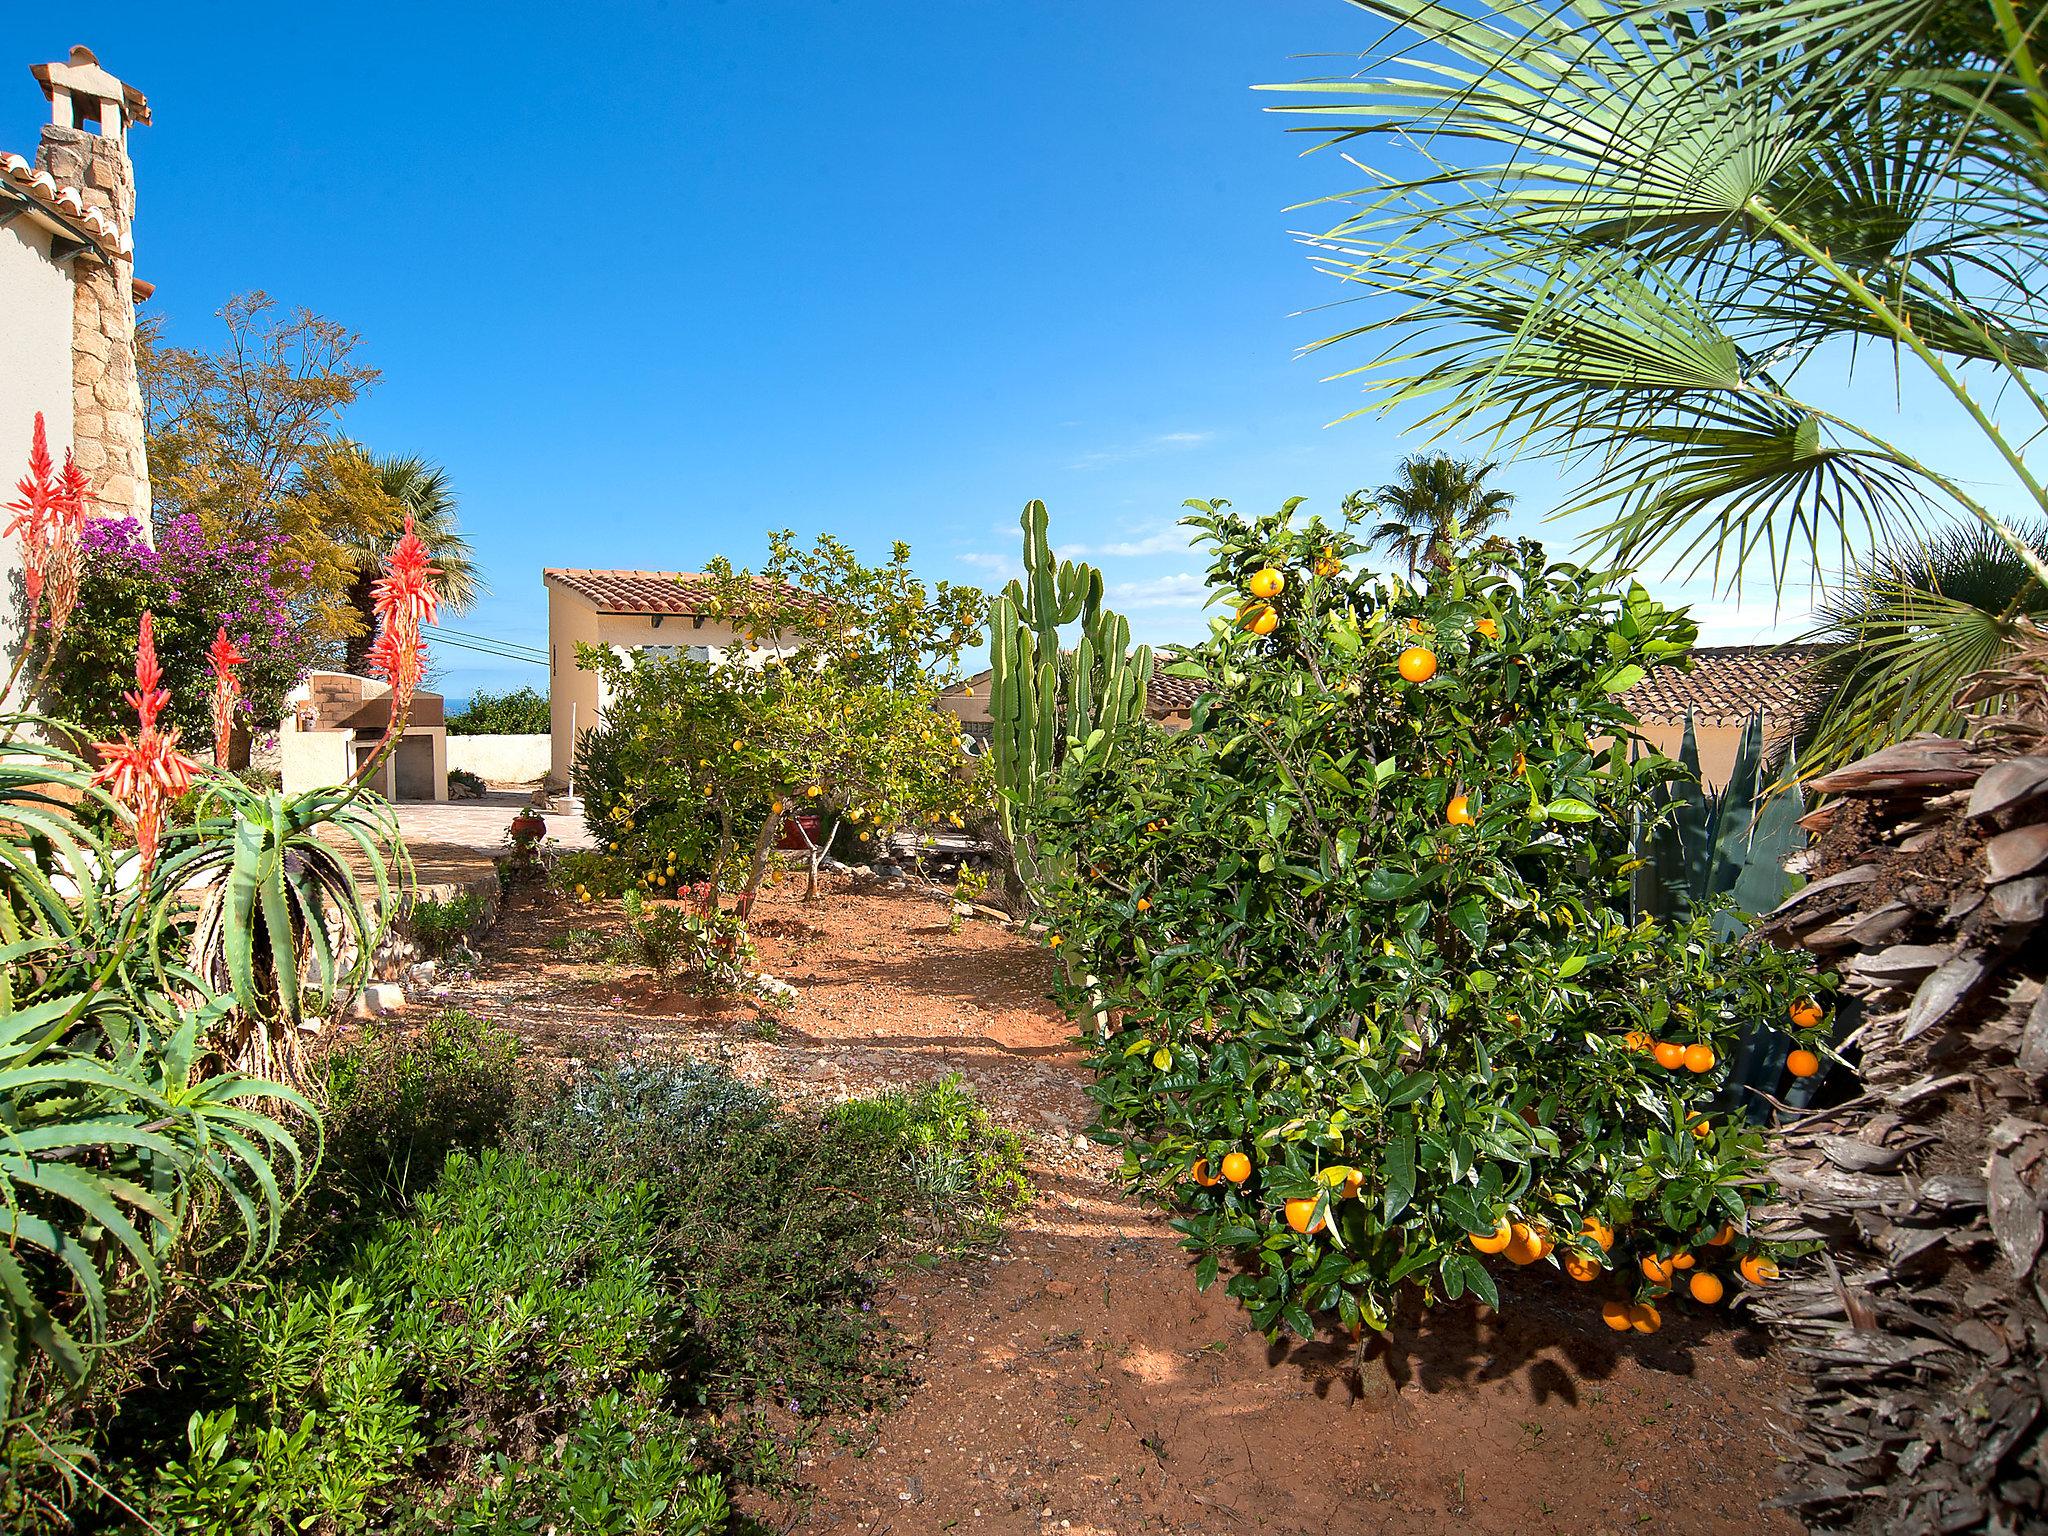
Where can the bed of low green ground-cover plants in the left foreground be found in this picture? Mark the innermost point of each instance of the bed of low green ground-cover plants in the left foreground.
(568, 1304)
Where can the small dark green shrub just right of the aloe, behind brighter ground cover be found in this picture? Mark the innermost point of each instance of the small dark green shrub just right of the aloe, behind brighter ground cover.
(398, 1105)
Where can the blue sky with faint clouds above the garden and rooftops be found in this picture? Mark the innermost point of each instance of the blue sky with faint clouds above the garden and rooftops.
(652, 280)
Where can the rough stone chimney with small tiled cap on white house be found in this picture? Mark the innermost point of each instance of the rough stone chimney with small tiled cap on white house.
(85, 146)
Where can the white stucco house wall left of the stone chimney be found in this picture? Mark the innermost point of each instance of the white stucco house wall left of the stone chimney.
(36, 376)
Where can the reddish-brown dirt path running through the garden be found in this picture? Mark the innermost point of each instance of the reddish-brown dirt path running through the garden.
(1076, 1383)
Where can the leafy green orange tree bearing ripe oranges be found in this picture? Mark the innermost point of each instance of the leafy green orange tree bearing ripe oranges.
(1377, 1005)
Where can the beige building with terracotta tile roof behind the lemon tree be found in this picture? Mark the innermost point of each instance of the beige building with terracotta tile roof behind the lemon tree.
(638, 613)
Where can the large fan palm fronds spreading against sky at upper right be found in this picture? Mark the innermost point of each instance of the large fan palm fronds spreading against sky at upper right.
(1658, 241)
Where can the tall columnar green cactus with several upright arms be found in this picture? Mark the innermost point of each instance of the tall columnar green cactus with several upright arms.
(1046, 701)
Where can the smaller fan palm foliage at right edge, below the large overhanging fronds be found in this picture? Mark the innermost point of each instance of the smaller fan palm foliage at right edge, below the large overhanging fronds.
(1904, 634)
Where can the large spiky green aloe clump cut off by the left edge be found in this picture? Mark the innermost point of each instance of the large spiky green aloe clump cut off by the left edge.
(108, 1134)
